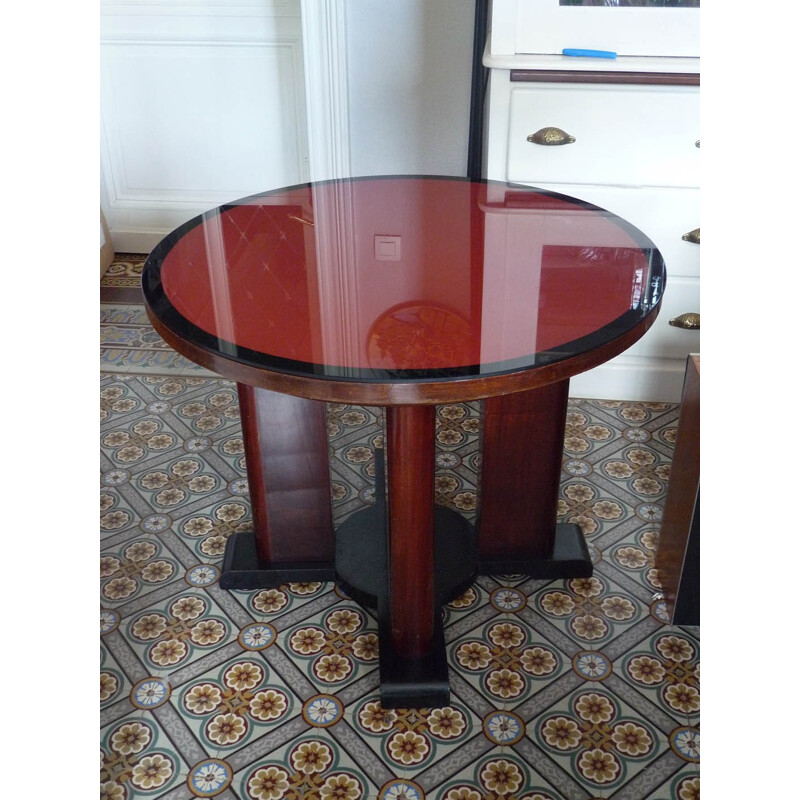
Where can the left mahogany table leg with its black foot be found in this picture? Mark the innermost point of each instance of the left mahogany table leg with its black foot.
(286, 451)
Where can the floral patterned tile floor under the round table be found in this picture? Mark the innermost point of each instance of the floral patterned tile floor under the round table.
(565, 689)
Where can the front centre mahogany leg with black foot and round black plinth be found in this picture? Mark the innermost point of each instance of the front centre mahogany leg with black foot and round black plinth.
(406, 557)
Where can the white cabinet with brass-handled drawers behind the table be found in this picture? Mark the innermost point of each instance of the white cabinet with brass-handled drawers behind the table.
(633, 149)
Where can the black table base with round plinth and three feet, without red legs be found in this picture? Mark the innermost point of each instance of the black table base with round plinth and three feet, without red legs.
(361, 557)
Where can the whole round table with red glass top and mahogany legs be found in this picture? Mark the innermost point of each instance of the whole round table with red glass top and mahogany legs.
(404, 292)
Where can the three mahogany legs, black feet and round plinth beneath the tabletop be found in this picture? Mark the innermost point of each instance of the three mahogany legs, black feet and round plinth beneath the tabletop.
(404, 558)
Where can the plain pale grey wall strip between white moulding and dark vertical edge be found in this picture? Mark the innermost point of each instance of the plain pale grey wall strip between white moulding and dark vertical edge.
(409, 68)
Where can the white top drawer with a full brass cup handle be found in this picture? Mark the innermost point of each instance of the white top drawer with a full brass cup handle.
(624, 135)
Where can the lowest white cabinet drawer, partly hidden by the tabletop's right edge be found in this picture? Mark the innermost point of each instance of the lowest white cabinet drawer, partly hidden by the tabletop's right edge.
(663, 340)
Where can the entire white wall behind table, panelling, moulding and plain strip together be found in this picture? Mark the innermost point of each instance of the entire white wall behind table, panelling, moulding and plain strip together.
(203, 102)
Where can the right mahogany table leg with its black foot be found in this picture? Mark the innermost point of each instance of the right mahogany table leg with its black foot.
(522, 450)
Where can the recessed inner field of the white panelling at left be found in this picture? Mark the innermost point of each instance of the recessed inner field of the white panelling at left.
(192, 121)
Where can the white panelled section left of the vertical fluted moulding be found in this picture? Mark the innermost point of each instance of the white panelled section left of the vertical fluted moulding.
(201, 103)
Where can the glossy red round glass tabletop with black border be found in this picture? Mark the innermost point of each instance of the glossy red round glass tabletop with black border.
(396, 278)
